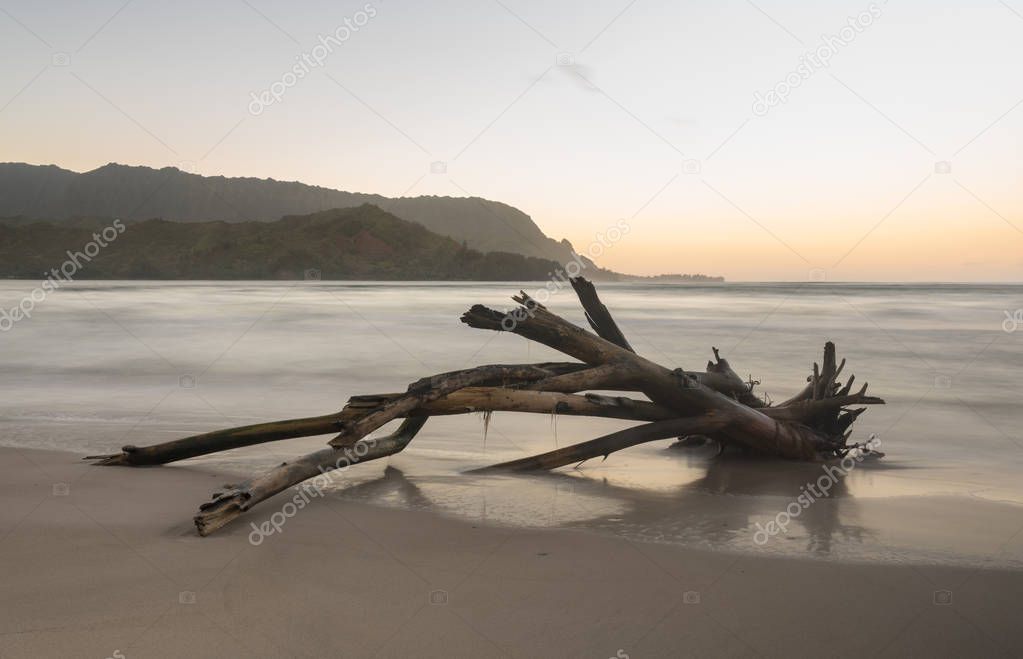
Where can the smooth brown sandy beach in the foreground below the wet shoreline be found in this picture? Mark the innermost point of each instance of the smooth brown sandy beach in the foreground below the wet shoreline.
(106, 563)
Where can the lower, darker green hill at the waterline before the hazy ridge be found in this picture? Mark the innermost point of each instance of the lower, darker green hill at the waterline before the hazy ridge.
(361, 243)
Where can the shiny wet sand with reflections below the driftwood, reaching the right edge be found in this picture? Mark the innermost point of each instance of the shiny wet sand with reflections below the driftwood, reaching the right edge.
(691, 498)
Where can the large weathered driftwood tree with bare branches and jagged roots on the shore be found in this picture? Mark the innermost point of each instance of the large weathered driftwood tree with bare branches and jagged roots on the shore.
(716, 404)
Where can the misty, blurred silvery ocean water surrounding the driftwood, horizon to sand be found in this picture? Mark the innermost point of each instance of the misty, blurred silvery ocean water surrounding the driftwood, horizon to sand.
(103, 365)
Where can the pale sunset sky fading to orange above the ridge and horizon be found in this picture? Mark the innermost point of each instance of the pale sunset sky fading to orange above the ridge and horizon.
(768, 141)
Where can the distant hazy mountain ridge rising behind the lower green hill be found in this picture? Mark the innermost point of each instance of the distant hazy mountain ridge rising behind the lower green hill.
(139, 193)
